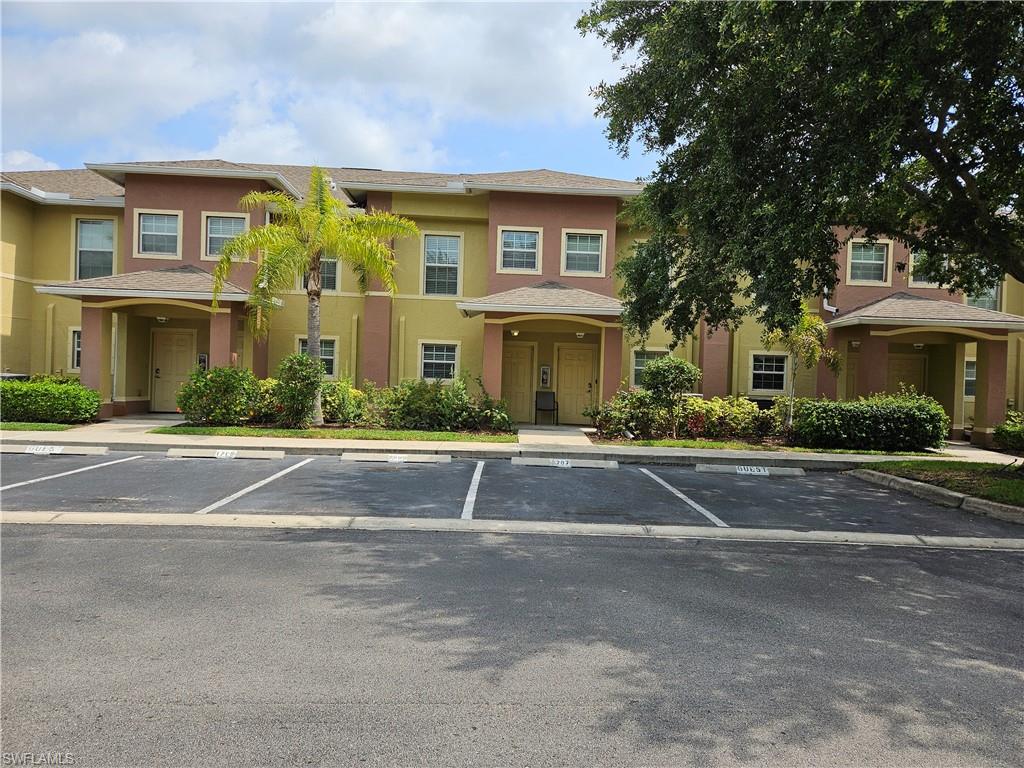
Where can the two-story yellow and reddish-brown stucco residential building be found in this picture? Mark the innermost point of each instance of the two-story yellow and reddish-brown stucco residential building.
(106, 275)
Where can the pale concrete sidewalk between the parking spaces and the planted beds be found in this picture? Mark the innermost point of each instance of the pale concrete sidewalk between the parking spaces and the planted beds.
(135, 435)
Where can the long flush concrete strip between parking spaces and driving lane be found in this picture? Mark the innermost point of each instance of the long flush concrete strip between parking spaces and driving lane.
(301, 523)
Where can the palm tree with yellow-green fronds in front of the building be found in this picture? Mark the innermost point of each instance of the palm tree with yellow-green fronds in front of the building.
(293, 244)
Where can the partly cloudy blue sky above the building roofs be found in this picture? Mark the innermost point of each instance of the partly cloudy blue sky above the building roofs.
(458, 88)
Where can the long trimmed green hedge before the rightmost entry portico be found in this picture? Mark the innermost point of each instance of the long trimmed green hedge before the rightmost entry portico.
(884, 422)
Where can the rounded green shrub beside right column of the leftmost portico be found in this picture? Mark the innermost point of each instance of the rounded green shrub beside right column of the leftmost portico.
(221, 397)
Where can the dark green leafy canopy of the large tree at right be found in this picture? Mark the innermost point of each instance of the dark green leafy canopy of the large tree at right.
(777, 123)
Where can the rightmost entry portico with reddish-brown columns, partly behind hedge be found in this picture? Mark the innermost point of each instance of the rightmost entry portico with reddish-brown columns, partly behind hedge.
(909, 339)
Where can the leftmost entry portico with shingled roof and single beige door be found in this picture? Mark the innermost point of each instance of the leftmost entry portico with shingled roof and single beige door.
(144, 332)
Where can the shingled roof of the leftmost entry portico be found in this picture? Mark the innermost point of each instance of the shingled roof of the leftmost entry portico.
(185, 282)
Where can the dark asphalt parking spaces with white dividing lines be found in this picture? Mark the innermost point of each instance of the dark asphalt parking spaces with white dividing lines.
(328, 486)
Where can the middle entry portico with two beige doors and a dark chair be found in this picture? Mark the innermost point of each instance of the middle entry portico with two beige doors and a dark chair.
(575, 334)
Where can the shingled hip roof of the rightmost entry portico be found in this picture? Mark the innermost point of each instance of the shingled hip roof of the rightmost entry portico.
(908, 310)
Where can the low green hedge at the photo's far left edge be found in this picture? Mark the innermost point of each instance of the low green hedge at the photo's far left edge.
(52, 401)
